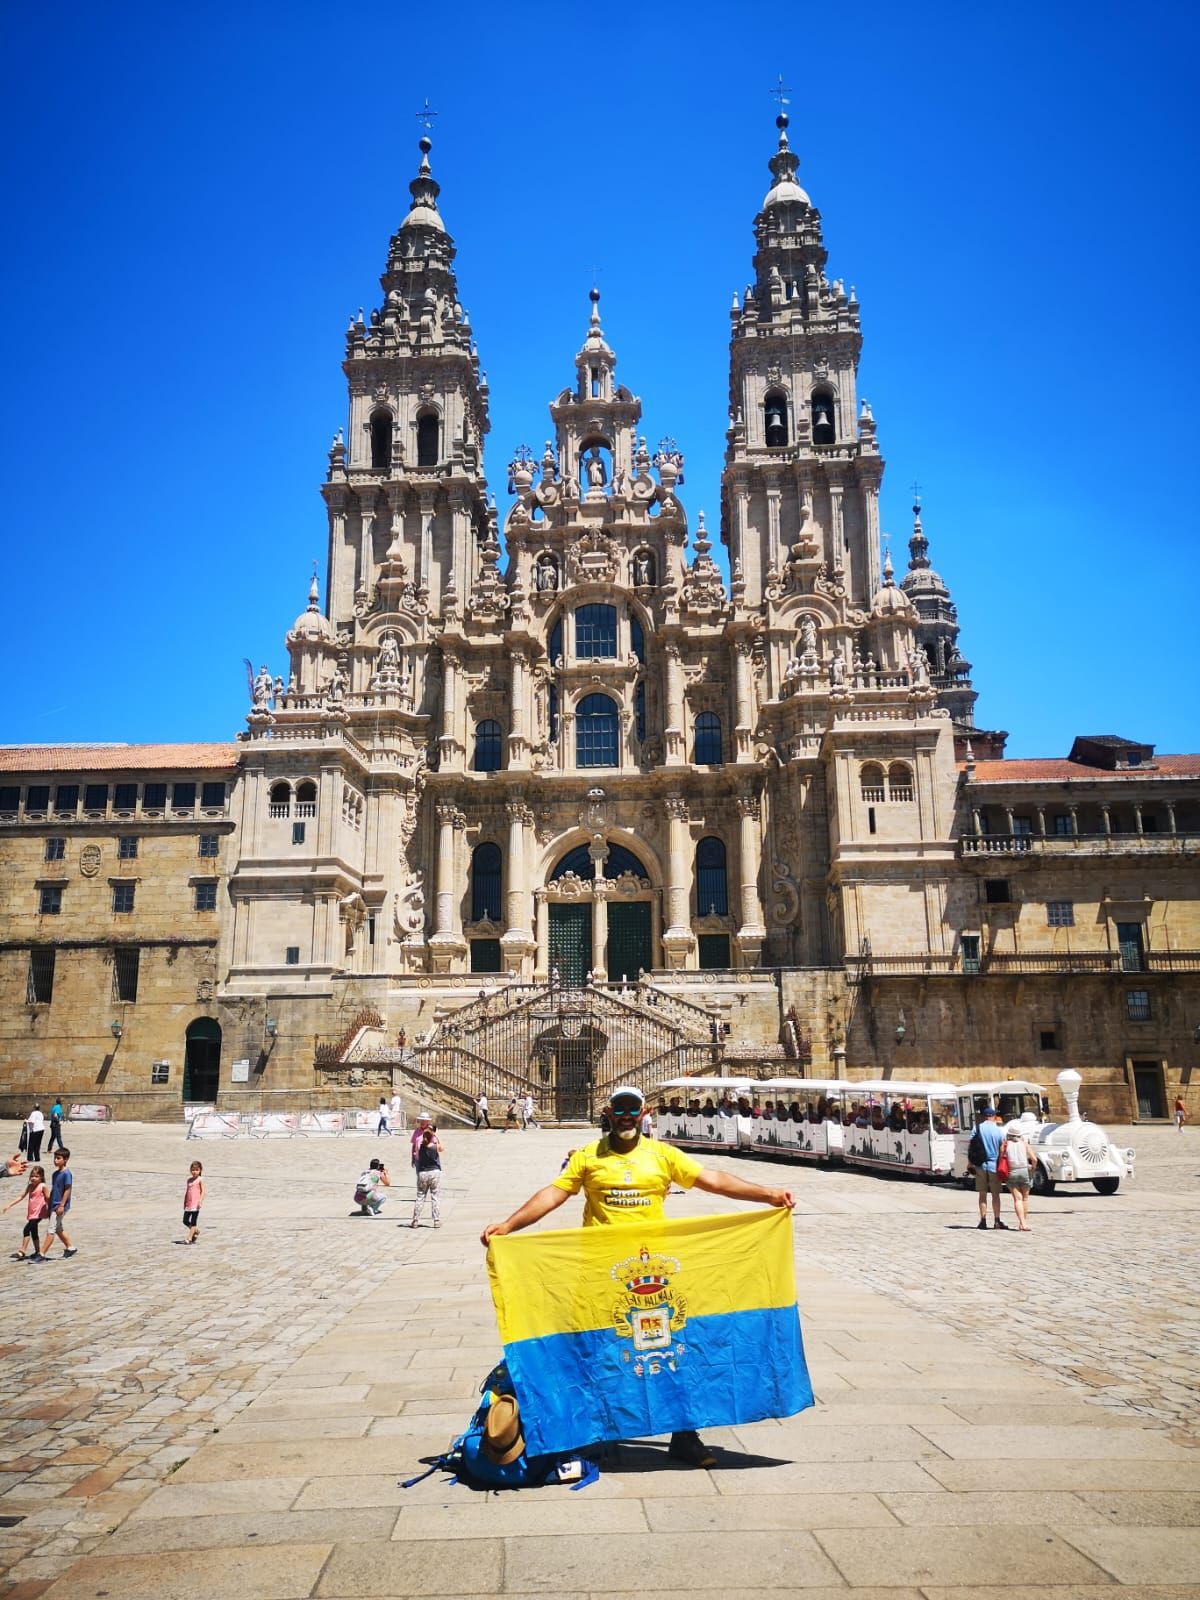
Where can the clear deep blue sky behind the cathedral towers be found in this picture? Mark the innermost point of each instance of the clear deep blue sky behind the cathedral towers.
(198, 198)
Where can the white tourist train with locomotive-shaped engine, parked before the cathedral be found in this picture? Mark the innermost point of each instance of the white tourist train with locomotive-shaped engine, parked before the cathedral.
(889, 1124)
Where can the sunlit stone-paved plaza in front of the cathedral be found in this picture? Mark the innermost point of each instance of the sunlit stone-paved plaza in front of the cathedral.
(994, 1412)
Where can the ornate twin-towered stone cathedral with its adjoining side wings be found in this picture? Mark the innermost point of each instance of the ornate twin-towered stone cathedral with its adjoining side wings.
(745, 823)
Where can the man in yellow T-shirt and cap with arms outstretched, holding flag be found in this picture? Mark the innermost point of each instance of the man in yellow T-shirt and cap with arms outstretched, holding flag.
(625, 1182)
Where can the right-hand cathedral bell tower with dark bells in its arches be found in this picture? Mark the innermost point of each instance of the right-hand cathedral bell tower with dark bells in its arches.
(802, 466)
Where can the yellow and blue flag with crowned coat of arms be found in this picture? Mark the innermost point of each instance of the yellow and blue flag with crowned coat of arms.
(650, 1327)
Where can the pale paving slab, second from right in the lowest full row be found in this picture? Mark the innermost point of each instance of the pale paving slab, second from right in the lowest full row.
(1028, 1556)
